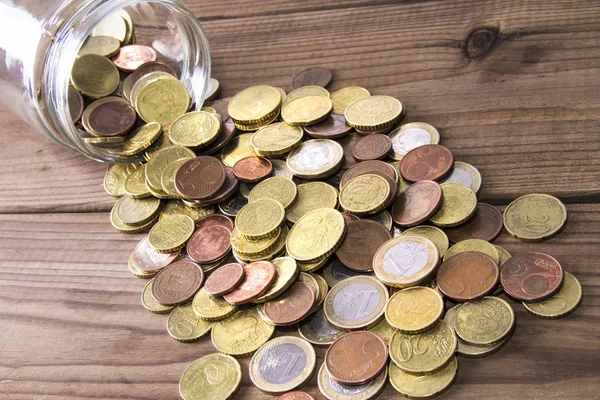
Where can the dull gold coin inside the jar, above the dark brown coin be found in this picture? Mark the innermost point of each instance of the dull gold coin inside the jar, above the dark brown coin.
(94, 76)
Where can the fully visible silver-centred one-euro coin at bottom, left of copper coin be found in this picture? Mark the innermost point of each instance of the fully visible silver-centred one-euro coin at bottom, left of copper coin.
(282, 364)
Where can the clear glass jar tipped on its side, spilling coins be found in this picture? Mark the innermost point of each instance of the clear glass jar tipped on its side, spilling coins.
(39, 41)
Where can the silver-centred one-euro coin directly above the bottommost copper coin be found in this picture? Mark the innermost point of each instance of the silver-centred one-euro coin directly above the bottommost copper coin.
(356, 302)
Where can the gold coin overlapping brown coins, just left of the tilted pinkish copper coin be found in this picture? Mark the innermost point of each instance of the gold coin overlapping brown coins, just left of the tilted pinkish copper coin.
(365, 194)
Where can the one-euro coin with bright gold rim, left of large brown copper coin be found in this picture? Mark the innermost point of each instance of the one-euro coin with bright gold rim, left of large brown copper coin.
(405, 261)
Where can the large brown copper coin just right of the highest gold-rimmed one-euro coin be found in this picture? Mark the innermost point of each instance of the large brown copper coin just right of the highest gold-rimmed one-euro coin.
(467, 276)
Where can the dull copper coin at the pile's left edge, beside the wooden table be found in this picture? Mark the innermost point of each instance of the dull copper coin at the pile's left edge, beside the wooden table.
(177, 283)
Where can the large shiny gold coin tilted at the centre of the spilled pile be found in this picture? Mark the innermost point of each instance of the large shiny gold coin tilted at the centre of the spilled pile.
(316, 235)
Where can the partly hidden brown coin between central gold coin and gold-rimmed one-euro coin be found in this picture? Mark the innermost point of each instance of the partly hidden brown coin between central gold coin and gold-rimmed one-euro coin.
(363, 238)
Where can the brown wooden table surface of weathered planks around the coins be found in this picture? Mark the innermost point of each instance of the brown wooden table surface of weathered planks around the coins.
(513, 88)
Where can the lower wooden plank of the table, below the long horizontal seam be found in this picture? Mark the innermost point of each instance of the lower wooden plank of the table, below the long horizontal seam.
(72, 326)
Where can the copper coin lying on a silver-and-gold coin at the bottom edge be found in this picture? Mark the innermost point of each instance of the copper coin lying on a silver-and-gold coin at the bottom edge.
(356, 358)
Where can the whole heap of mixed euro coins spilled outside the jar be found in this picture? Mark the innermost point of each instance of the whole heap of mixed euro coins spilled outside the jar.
(326, 212)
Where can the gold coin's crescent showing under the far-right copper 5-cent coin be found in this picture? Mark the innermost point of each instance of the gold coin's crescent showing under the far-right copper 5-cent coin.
(564, 302)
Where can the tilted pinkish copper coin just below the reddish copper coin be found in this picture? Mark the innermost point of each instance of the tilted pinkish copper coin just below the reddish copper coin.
(417, 203)
